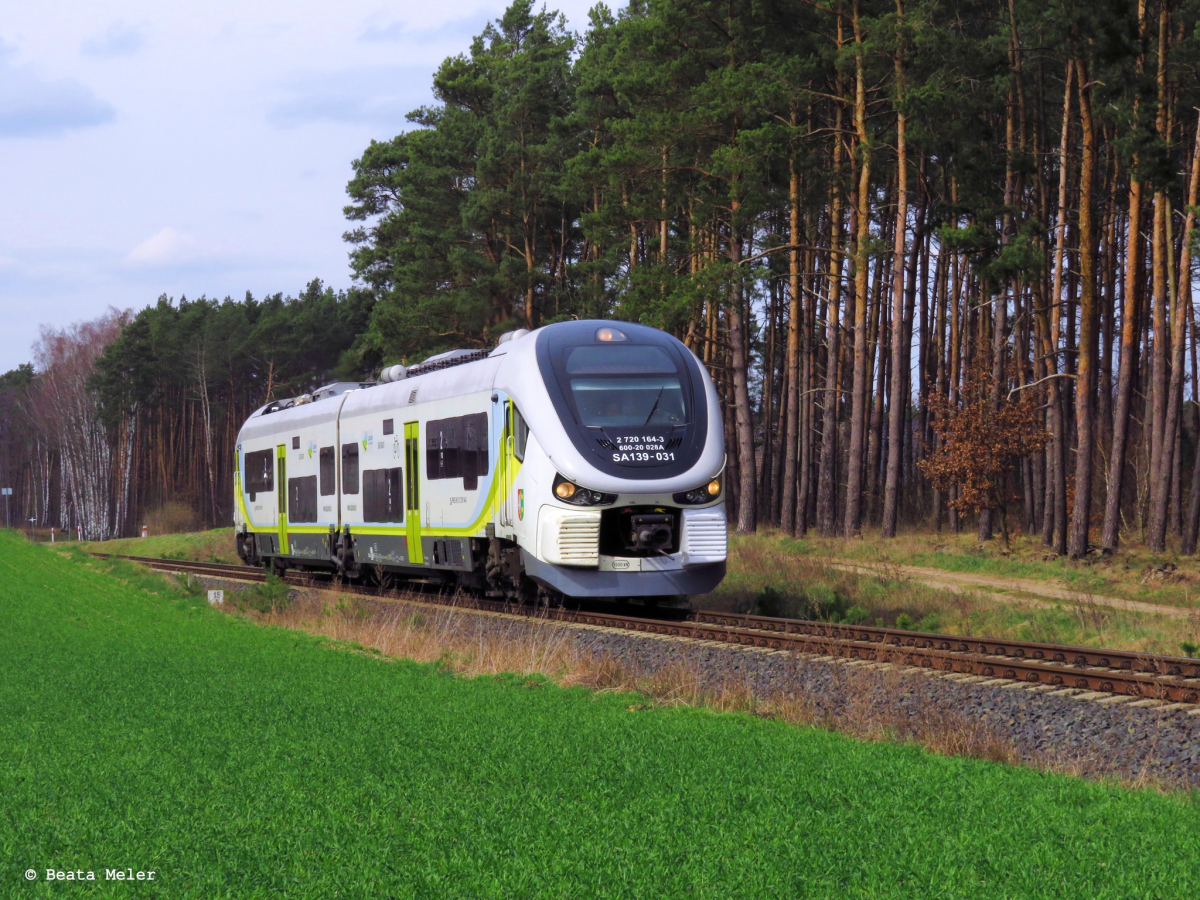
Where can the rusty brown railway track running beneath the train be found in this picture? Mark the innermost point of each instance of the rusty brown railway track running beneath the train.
(1115, 673)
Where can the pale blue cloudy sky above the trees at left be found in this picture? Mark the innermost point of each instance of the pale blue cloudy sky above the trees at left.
(191, 149)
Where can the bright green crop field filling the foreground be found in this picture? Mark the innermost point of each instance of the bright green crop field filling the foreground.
(151, 733)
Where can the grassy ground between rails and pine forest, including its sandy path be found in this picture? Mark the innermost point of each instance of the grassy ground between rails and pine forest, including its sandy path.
(927, 581)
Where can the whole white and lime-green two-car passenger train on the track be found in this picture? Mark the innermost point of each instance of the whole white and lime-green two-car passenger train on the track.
(584, 459)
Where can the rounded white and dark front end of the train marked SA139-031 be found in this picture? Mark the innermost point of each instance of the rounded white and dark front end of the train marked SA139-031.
(621, 491)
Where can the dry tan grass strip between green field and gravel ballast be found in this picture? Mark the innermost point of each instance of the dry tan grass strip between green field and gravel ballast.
(471, 644)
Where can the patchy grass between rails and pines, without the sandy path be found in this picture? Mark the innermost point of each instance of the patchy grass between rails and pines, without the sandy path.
(776, 575)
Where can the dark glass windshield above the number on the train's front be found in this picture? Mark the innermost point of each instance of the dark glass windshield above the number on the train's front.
(626, 387)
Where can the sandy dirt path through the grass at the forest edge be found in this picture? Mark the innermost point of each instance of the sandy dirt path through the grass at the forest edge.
(1028, 591)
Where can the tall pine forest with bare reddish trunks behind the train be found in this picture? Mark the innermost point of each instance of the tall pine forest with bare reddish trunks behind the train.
(938, 256)
